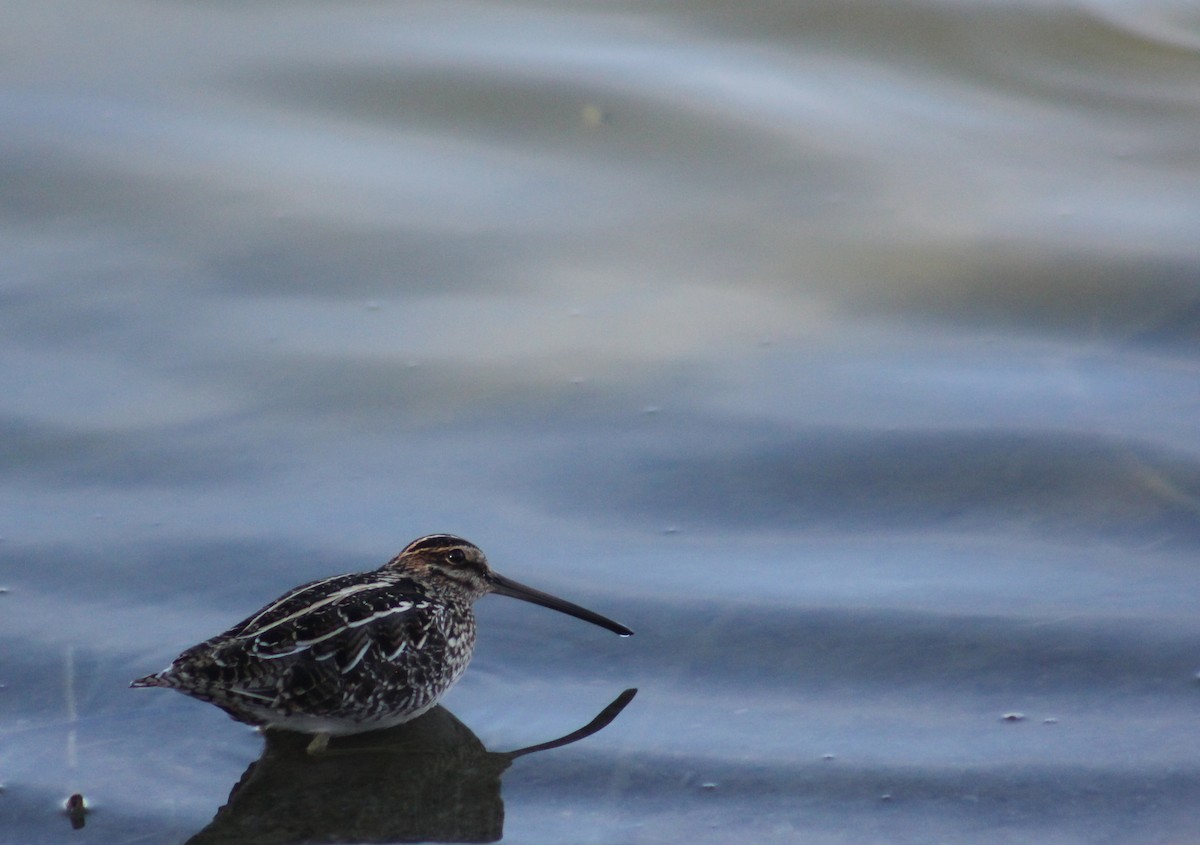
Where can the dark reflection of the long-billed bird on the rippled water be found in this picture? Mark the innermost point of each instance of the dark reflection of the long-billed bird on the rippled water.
(430, 780)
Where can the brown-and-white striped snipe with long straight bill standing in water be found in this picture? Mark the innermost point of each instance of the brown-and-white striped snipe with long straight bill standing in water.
(358, 652)
